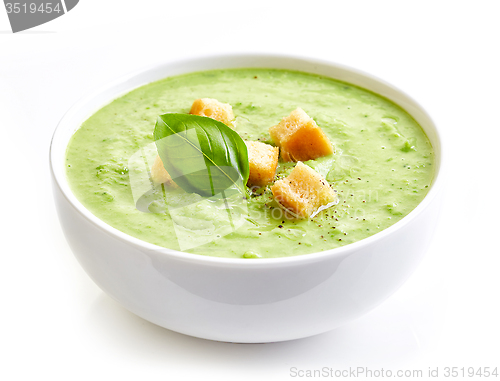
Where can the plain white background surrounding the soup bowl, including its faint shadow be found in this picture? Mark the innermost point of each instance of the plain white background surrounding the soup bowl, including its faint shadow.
(56, 324)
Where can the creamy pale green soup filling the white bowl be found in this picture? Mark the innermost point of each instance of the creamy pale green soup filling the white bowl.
(382, 166)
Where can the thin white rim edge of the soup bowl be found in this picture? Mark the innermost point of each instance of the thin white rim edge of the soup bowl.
(60, 179)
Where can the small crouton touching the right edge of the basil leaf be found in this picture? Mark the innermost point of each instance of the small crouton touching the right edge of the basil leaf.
(263, 159)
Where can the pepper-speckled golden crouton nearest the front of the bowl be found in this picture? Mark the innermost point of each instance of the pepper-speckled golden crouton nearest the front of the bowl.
(303, 191)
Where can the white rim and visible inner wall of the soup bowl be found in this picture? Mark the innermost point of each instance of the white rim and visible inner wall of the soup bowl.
(84, 108)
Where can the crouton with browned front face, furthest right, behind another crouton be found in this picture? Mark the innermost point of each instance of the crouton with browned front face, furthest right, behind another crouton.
(300, 138)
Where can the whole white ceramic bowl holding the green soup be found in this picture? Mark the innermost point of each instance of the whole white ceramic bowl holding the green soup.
(238, 300)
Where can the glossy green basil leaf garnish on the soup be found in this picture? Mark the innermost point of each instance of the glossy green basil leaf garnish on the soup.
(201, 155)
